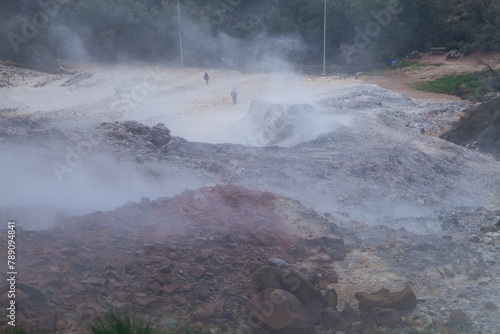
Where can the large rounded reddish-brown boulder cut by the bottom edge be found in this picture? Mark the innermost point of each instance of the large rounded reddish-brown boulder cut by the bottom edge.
(279, 312)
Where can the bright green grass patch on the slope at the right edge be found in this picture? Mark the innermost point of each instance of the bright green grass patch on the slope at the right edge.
(472, 86)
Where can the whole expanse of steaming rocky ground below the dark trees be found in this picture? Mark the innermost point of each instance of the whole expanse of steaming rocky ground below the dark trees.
(350, 190)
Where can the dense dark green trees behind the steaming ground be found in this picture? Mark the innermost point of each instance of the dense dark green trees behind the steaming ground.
(358, 31)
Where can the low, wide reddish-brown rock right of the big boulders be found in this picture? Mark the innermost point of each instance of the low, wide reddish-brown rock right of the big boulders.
(400, 300)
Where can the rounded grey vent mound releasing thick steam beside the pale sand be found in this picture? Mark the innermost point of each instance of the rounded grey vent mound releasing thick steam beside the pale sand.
(278, 124)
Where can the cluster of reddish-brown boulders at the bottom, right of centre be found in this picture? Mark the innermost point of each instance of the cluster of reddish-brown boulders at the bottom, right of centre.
(285, 302)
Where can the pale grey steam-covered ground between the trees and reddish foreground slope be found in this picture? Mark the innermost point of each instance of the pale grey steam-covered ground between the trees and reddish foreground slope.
(336, 146)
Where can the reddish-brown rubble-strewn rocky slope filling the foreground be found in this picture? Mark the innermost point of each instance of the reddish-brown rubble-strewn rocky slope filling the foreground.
(192, 259)
